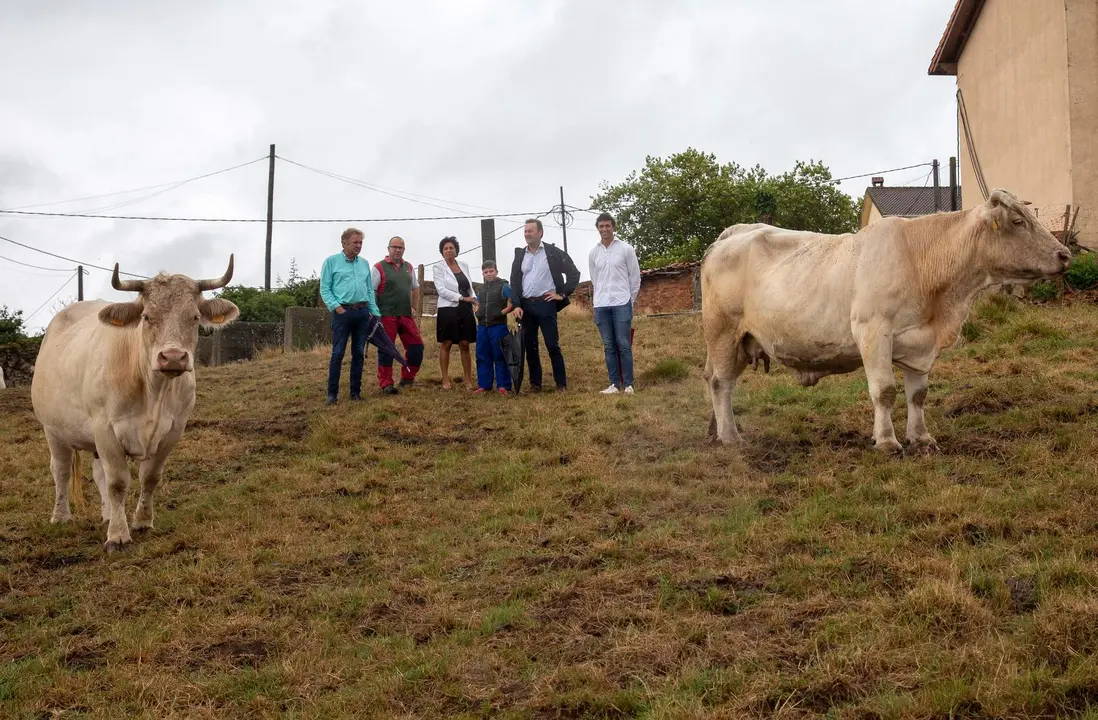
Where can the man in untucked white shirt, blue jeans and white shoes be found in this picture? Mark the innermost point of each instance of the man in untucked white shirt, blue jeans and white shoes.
(615, 283)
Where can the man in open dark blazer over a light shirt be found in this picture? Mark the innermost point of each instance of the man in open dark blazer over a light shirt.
(543, 278)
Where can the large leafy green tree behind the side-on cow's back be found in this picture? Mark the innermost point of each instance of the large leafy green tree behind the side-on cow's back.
(676, 208)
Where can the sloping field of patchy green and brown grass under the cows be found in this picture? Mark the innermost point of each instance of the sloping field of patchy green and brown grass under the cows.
(576, 556)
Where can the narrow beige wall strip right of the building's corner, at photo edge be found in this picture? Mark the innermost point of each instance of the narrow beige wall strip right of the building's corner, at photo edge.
(1082, 25)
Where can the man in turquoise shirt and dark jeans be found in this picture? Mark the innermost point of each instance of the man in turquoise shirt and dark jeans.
(348, 290)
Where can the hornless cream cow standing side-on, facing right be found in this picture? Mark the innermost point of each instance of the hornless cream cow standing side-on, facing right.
(894, 294)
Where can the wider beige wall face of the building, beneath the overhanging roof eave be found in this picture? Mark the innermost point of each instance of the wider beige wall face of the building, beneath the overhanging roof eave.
(1013, 76)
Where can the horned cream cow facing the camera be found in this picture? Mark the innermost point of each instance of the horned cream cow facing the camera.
(118, 380)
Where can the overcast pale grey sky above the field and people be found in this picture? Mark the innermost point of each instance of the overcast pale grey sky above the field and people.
(490, 104)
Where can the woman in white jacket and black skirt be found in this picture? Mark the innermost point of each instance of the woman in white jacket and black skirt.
(456, 320)
